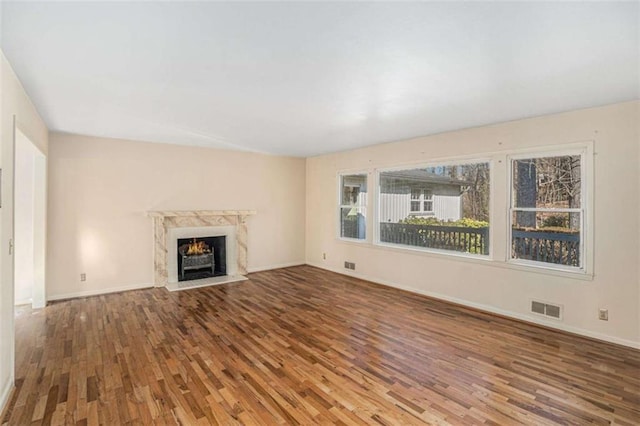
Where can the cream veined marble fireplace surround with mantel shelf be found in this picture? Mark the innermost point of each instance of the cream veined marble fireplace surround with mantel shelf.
(165, 220)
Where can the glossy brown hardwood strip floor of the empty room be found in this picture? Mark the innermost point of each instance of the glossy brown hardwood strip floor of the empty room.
(306, 346)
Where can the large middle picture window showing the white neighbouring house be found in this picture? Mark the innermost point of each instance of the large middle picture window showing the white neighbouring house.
(442, 207)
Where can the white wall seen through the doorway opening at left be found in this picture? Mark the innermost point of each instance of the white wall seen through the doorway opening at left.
(24, 222)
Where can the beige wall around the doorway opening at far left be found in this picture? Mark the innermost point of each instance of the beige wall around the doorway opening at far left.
(14, 103)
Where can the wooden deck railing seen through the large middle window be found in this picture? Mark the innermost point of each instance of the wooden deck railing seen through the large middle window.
(456, 238)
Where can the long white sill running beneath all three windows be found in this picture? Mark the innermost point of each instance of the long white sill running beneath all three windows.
(579, 275)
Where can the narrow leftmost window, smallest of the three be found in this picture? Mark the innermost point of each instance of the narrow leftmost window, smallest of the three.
(353, 206)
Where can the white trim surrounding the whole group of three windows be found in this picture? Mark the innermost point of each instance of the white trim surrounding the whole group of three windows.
(499, 249)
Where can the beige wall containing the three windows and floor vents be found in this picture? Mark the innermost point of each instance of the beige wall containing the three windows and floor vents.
(491, 285)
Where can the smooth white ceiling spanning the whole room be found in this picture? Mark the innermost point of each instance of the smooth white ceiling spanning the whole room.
(308, 78)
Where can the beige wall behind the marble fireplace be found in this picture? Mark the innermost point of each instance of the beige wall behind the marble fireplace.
(101, 189)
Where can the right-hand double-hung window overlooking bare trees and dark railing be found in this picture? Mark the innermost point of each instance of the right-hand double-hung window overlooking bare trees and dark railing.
(547, 210)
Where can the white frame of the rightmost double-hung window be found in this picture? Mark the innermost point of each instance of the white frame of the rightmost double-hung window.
(584, 151)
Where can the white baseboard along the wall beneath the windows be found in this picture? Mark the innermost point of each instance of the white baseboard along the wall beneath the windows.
(490, 309)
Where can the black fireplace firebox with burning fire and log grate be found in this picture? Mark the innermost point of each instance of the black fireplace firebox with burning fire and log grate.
(201, 257)
